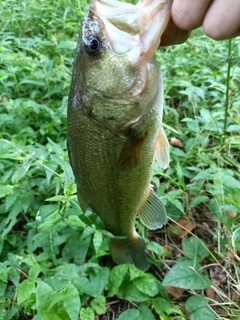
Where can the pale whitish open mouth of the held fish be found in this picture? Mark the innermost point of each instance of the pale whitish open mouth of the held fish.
(129, 26)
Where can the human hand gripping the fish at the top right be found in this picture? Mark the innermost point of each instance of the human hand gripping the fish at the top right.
(220, 20)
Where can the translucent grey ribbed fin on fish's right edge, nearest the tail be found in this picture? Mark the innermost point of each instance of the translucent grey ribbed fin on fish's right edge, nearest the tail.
(153, 213)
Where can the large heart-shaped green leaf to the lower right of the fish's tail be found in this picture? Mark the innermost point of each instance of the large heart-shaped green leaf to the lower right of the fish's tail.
(187, 275)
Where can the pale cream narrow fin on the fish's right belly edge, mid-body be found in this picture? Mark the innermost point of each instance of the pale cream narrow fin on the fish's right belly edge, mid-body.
(162, 150)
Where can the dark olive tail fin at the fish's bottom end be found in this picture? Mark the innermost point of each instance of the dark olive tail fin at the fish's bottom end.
(130, 251)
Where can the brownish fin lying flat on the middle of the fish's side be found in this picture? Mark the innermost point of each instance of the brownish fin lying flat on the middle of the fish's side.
(131, 152)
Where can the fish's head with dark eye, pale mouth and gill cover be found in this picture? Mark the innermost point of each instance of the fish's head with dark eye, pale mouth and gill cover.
(115, 53)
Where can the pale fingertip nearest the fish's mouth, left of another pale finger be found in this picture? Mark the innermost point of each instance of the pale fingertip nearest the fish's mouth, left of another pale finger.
(189, 14)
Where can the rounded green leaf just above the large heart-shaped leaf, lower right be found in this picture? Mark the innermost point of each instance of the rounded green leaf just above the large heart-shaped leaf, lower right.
(194, 248)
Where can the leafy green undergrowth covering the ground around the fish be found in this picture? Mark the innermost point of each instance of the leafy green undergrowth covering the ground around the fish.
(54, 261)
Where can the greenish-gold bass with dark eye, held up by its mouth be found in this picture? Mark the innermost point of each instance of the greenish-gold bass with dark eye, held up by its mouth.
(115, 130)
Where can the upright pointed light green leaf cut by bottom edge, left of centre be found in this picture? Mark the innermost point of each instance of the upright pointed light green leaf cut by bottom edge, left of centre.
(71, 301)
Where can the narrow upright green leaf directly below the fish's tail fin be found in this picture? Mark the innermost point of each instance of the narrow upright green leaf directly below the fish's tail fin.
(116, 277)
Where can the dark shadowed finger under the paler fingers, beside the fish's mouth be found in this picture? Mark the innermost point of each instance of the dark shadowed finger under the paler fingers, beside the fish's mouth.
(173, 35)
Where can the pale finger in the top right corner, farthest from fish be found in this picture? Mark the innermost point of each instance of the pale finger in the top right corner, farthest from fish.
(222, 20)
